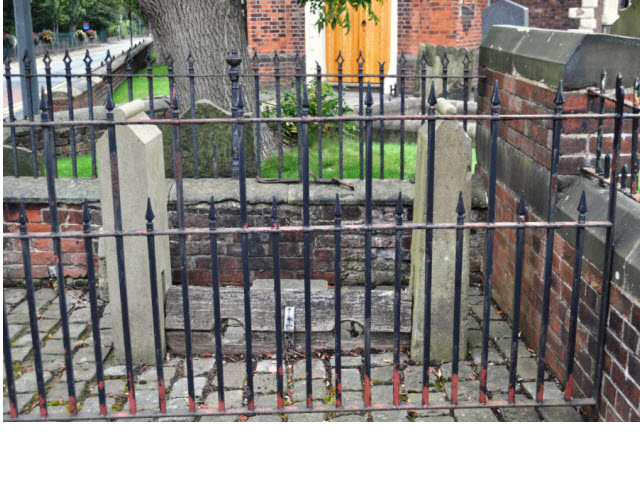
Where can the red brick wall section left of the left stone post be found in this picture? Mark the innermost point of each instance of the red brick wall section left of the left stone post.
(42, 255)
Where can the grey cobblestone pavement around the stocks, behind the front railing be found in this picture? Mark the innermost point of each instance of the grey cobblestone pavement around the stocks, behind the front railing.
(264, 375)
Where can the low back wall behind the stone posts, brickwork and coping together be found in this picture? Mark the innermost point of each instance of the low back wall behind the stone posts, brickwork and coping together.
(71, 194)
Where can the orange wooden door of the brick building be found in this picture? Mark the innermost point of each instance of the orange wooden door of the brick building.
(373, 40)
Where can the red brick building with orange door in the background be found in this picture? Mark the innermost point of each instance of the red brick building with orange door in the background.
(281, 25)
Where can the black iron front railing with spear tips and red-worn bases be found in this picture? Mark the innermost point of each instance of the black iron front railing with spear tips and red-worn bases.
(367, 228)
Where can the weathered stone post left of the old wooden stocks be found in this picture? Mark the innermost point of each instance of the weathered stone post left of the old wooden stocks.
(141, 175)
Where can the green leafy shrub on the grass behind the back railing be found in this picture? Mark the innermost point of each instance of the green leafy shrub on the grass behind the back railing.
(289, 108)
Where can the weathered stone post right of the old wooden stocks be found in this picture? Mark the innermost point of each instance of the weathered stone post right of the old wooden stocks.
(452, 175)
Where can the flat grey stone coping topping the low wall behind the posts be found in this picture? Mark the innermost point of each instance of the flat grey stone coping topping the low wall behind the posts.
(196, 191)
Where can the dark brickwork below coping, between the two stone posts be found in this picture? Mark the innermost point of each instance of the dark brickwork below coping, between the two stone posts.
(291, 245)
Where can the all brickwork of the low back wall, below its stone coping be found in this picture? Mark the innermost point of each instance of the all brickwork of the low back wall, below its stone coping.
(229, 247)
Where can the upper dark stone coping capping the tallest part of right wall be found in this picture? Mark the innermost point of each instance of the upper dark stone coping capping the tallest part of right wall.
(551, 56)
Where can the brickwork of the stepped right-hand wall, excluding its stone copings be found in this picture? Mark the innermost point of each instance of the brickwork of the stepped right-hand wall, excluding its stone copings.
(533, 138)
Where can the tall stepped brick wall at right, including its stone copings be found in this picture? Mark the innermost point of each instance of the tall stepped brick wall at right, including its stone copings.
(524, 155)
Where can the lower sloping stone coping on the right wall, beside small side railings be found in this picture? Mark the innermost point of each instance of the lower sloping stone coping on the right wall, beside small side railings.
(626, 254)
